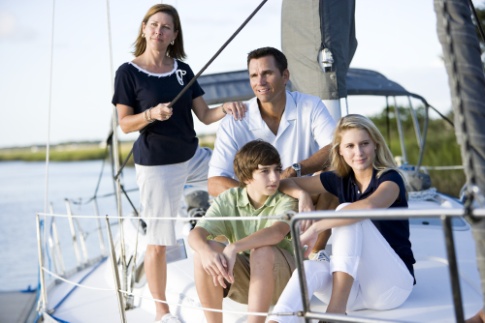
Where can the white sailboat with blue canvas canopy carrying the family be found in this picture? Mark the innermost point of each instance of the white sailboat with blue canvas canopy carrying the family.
(111, 287)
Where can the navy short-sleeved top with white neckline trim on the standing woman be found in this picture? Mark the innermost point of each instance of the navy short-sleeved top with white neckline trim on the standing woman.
(161, 142)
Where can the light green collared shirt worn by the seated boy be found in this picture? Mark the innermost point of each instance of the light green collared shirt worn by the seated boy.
(235, 202)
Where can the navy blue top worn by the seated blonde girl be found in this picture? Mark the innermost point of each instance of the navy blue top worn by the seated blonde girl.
(396, 232)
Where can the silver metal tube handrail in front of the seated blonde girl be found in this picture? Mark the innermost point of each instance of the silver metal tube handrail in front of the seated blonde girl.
(394, 213)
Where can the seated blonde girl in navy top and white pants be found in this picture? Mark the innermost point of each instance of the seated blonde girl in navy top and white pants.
(372, 262)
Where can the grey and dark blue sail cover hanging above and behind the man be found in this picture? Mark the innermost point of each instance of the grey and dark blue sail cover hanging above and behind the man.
(307, 28)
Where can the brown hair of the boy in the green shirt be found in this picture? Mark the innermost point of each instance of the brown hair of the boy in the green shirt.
(252, 154)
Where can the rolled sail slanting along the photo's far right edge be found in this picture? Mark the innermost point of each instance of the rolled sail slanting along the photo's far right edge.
(461, 52)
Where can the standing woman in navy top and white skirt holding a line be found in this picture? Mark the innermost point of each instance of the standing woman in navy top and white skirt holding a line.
(167, 154)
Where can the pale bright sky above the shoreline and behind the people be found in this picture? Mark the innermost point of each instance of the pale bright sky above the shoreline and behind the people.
(58, 57)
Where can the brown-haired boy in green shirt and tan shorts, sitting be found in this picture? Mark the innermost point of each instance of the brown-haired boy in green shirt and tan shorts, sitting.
(258, 261)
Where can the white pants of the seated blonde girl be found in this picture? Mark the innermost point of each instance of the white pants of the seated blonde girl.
(381, 279)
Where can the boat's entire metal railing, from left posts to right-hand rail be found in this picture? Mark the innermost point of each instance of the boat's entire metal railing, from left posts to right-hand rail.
(445, 215)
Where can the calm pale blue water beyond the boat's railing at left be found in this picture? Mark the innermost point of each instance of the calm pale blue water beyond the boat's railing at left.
(22, 195)
